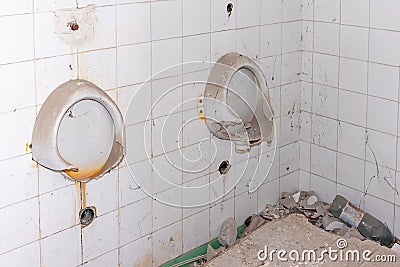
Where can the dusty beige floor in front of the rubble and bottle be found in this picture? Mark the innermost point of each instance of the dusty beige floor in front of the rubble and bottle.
(296, 233)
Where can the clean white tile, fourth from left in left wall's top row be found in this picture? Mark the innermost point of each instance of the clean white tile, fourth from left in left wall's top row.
(133, 23)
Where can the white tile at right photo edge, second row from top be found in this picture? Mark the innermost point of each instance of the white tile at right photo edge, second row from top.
(383, 47)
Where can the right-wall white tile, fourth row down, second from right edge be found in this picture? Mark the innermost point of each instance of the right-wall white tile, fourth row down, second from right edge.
(352, 107)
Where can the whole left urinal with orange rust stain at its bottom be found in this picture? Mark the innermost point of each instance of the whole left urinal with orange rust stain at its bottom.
(79, 132)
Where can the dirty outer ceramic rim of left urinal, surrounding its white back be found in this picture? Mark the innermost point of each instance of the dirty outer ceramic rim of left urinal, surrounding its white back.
(44, 137)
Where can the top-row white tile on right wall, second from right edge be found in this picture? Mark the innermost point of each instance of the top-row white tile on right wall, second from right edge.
(355, 12)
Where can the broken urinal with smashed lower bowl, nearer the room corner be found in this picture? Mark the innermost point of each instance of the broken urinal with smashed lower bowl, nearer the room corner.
(236, 103)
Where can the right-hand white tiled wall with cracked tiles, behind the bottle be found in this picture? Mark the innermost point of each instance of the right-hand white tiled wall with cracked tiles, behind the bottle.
(350, 103)
